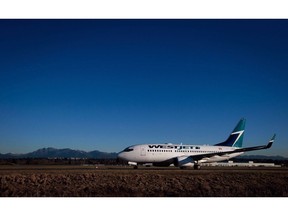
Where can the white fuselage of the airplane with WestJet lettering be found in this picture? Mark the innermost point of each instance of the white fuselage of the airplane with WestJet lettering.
(157, 153)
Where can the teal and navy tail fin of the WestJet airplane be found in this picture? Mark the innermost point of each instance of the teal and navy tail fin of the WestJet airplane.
(236, 137)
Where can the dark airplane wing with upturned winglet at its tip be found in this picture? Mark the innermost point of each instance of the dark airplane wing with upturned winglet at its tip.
(199, 157)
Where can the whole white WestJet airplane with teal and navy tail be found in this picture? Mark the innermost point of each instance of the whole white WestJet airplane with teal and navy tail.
(184, 156)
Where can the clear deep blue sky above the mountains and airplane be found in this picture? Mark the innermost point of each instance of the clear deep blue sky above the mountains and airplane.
(107, 84)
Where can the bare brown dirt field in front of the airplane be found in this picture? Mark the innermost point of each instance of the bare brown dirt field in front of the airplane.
(121, 181)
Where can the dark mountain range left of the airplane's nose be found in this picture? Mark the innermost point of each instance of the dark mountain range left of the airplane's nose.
(62, 153)
